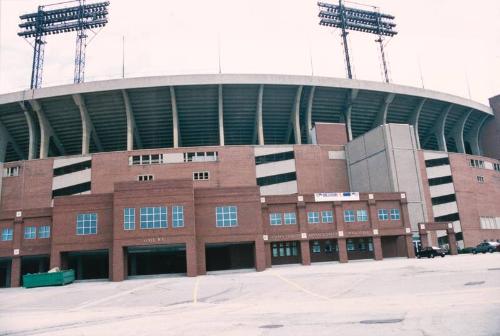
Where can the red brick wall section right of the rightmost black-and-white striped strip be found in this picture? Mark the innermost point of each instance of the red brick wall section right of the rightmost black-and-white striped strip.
(475, 199)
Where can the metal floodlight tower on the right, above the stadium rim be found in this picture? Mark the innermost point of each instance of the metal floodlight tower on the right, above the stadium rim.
(347, 18)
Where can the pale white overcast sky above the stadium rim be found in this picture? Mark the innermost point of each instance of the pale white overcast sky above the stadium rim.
(452, 46)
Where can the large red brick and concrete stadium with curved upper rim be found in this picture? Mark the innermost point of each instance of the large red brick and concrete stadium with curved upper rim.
(196, 173)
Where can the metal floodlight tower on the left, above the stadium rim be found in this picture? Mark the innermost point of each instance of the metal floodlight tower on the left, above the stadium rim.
(62, 20)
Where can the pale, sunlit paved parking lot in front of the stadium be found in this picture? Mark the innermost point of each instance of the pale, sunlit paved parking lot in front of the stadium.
(455, 295)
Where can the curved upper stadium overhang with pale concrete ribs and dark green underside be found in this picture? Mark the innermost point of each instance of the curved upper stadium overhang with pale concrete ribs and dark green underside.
(229, 109)
